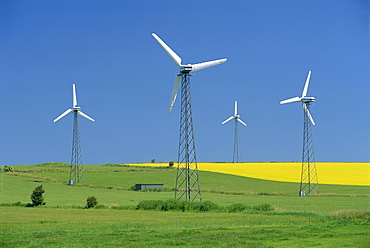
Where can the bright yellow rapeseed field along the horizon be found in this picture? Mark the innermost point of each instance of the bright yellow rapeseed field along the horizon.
(328, 172)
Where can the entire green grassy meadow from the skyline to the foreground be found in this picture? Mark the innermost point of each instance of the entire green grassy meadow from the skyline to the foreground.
(337, 217)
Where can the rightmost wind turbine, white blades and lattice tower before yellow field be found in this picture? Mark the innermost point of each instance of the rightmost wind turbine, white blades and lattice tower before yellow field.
(309, 180)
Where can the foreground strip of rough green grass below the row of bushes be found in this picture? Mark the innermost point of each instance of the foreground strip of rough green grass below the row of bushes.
(43, 227)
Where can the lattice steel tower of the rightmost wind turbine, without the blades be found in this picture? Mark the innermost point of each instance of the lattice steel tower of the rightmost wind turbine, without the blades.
(309, 180)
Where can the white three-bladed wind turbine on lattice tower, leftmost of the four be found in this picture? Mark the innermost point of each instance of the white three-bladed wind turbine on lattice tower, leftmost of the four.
(76, 173)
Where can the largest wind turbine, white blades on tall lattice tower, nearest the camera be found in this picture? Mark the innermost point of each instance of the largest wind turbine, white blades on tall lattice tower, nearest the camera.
(187, 180)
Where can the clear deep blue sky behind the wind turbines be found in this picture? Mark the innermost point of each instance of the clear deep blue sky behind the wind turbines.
(124, 78)
